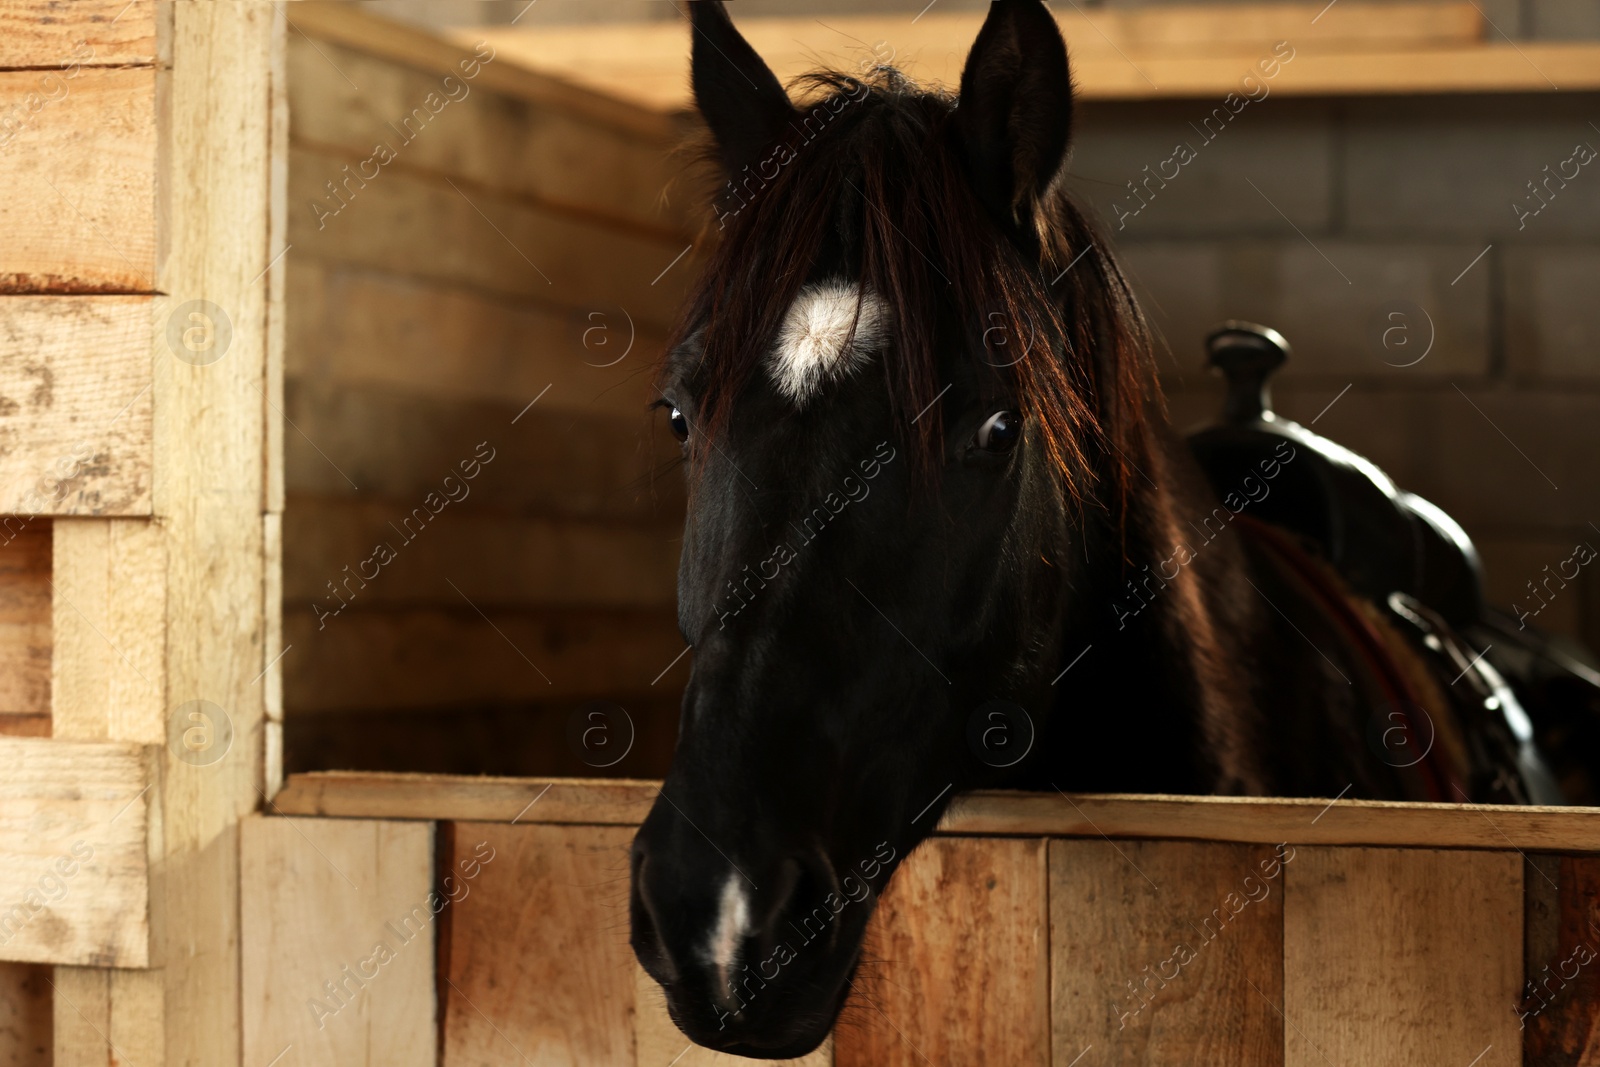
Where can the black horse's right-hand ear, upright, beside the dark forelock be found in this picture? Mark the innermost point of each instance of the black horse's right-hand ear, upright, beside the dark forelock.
(1015, 114)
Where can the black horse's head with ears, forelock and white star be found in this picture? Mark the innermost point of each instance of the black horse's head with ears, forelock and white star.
(895, 414)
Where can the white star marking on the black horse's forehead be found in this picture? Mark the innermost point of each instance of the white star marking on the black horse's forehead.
(828, 332)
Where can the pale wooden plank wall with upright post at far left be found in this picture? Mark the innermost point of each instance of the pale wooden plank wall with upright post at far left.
(138, 516)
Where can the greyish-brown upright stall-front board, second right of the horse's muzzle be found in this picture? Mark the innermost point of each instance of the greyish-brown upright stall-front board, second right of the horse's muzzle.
(1167, 953)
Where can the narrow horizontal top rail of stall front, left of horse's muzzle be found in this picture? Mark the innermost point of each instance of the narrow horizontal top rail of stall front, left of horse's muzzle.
(476, 799)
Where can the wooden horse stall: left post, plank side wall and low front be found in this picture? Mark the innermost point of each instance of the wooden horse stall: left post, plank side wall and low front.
(238, 346)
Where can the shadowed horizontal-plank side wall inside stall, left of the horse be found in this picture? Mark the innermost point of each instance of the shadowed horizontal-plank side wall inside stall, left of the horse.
(486, 268)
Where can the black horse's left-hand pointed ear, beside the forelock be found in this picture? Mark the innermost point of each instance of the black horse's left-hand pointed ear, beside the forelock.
(738, 95)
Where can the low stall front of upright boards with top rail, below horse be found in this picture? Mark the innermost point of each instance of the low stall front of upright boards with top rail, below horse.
(1284, 935)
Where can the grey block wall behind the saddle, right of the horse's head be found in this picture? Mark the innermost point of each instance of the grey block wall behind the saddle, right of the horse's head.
(1382, 238)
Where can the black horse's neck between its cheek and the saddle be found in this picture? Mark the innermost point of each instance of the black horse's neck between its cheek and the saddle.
(1162, 695)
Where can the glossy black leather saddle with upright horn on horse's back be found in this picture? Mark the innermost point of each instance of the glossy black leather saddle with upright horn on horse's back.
(1375, 535)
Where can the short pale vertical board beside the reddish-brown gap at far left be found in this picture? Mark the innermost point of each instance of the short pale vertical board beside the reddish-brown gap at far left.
(110, 604)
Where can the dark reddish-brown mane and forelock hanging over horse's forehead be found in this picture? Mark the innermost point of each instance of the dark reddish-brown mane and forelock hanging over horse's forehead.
(876, 162)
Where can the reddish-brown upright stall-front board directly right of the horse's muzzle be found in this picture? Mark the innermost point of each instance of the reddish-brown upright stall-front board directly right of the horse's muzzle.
(966, 908)
